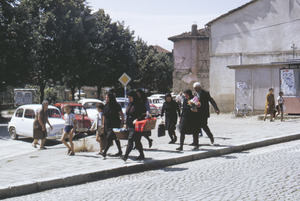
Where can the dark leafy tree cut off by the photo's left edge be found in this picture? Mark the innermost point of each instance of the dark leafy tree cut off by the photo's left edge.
(14, 45)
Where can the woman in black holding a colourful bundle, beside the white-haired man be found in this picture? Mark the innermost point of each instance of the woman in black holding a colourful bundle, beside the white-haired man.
(188, 120)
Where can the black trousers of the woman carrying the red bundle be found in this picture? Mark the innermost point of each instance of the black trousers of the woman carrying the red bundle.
(136, 138)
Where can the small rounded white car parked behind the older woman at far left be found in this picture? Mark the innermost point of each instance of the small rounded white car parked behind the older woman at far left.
(21, 123)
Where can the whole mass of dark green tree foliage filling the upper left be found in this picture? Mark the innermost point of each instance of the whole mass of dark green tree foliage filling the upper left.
(46, 42)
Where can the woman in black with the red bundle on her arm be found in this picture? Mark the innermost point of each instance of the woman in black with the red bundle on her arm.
(134, 112)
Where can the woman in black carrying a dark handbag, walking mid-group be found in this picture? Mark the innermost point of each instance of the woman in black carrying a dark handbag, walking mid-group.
(171, 108)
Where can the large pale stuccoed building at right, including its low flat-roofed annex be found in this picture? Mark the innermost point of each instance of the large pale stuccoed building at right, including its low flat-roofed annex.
(249, 48)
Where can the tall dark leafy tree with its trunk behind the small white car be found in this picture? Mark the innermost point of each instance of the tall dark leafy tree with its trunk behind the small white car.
(59, 45)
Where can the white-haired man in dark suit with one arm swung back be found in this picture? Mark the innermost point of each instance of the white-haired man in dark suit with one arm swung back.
(204, 97)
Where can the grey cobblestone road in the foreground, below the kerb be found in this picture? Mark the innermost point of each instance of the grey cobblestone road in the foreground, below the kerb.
(269, 173)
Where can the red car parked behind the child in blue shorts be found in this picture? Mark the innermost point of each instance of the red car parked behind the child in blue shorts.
(83, 121)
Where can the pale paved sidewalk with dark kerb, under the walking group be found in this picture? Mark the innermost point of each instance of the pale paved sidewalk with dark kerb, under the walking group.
(52, 168)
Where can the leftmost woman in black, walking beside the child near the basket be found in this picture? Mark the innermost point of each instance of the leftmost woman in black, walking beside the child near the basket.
(111, 114)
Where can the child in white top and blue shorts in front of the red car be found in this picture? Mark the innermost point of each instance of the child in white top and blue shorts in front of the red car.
(70, 126)
